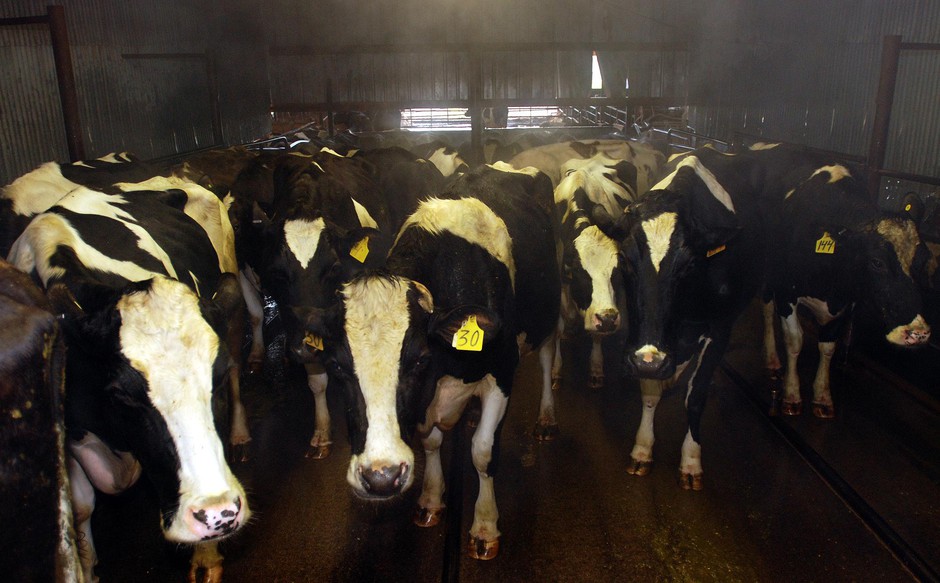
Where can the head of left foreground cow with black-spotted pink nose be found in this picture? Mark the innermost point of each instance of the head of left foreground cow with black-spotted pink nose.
(148, 359)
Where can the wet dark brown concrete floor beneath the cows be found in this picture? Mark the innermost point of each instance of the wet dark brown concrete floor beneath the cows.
(569, 511)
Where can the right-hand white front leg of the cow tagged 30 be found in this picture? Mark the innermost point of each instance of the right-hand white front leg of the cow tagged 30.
(484, 536)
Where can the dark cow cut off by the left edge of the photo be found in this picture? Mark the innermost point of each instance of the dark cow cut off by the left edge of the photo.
(38, 538)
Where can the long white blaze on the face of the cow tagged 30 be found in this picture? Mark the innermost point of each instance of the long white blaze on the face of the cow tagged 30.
(377, 318)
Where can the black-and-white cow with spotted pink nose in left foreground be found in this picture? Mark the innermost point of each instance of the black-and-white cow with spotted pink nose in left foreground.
(145, 300)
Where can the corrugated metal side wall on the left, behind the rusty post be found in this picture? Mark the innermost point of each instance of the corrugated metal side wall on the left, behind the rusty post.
(153, 107)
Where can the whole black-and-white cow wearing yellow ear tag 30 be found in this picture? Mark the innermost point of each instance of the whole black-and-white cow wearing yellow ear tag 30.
(472, 279)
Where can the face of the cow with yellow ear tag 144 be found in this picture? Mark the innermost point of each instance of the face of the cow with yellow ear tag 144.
(890, 257)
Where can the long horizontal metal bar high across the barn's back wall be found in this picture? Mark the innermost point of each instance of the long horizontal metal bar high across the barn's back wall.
(289, 51)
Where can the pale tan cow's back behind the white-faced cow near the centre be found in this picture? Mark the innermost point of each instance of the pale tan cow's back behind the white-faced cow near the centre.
(648, 161)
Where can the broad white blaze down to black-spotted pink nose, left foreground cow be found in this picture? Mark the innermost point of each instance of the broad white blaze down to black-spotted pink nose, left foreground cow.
(165, 338)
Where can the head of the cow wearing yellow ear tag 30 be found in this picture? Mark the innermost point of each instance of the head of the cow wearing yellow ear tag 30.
(378, 345)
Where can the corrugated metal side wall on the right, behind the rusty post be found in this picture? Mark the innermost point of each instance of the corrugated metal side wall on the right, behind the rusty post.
(808, 72)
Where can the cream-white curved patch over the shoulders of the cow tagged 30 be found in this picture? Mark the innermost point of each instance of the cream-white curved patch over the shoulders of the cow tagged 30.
(469, 219)
